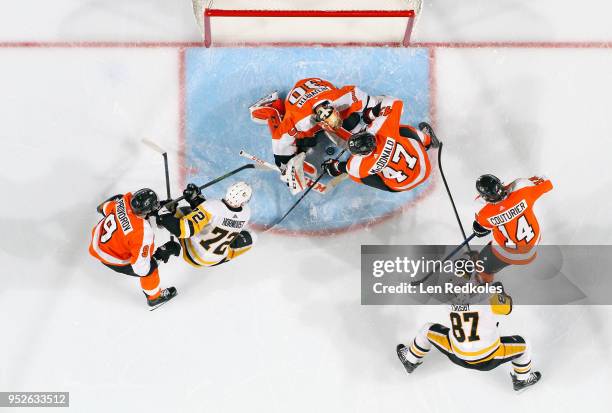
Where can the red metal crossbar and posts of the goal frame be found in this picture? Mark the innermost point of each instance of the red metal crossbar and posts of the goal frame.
(211, 12)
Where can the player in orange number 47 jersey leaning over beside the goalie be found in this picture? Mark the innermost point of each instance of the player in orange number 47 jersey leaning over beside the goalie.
(394, 159)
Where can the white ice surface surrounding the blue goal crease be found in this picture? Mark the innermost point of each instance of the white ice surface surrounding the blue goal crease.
(281, 328)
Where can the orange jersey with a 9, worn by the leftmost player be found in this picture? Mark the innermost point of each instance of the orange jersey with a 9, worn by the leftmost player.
(123, 238)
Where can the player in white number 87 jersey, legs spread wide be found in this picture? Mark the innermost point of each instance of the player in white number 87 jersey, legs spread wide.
(473, 340)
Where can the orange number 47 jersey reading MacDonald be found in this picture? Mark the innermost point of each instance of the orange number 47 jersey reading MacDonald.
(400, 162)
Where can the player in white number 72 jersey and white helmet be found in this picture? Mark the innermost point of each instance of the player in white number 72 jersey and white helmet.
(211, 232)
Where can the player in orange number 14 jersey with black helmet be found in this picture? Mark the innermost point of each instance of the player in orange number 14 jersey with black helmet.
(508, 214)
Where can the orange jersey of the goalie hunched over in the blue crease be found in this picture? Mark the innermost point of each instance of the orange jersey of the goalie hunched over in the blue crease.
(299, 121)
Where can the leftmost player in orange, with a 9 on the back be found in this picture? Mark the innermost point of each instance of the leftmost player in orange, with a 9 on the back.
(123, 241)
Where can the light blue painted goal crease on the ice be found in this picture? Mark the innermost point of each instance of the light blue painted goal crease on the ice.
(222, 83)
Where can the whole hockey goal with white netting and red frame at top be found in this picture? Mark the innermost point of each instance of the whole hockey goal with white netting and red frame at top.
(280, 22)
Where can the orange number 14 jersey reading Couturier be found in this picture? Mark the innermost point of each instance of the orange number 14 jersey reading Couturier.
(516, 230)
